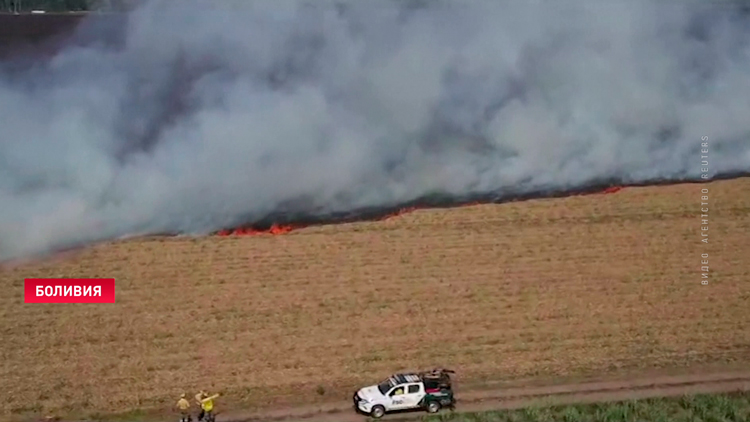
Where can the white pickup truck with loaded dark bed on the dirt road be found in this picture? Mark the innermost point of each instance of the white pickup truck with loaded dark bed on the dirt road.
(428, 391)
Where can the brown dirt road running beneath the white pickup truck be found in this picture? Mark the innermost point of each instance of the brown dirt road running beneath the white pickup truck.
(517, 397)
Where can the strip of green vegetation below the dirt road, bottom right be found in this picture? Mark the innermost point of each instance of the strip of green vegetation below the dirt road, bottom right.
(730, 407)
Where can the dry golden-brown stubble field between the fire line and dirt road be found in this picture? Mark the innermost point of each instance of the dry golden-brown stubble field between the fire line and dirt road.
(539, 290)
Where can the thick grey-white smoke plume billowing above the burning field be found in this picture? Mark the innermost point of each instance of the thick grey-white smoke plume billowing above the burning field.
(211, 114)
